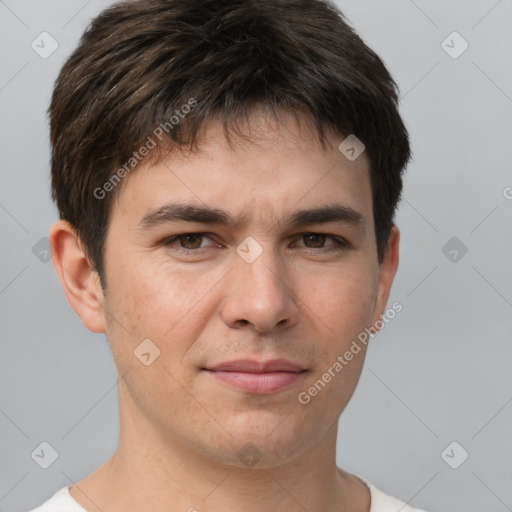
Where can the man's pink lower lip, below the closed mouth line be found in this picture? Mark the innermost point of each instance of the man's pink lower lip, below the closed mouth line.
(258, 383)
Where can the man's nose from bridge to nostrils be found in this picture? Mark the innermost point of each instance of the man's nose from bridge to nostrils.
(260, 294)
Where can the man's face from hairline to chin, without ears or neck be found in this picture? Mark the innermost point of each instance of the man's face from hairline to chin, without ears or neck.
(256, 291)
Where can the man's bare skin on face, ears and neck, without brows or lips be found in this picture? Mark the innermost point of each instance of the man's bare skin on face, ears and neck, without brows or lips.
(181, 431)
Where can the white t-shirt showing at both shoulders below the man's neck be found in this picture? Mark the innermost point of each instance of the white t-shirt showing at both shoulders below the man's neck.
(62, 501)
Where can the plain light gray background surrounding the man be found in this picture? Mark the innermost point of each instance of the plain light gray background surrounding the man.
(440, 372)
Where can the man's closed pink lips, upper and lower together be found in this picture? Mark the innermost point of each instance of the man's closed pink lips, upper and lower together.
(258, 377)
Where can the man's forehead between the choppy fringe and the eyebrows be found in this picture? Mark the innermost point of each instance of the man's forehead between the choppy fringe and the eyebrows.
(276, 170)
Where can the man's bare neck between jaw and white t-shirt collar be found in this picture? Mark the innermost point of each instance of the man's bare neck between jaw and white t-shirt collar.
(150, 472)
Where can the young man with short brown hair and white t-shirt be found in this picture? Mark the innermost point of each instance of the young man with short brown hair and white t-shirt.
(226, 174)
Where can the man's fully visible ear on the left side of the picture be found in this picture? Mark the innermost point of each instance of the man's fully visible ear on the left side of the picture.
(80, 283)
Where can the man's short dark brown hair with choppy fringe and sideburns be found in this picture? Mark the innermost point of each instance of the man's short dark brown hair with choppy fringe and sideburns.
(140, 61)
